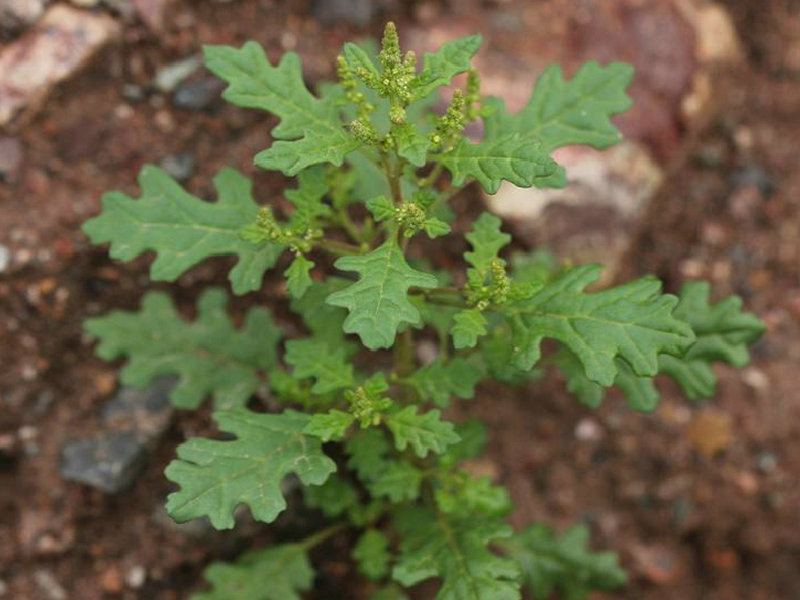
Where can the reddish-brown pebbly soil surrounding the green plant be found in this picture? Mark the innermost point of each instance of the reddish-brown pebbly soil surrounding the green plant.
(701, 502)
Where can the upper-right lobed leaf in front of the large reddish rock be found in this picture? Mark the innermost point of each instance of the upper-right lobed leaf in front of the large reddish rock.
(561, 113)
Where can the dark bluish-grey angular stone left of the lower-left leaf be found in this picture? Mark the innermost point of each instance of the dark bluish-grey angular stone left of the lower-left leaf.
(108, 462)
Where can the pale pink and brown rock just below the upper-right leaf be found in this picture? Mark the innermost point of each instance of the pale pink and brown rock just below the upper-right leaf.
(592, 219)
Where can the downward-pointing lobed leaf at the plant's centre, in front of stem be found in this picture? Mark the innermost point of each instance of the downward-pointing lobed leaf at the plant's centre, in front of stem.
(378, 302)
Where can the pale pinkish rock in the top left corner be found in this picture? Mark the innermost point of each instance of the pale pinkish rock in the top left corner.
(61, 43)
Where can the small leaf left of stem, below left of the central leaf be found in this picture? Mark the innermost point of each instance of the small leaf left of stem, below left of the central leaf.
(314, 358)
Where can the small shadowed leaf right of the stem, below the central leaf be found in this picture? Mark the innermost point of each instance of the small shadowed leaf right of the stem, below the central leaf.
(440, 380)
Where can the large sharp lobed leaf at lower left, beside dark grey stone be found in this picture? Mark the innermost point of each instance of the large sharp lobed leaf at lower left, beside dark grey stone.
(217, 476)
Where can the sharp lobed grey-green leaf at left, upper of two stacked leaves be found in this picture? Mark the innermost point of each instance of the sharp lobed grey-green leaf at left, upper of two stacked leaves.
(184, 230)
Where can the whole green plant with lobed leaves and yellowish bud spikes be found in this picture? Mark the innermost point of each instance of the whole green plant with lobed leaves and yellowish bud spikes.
(370, 160)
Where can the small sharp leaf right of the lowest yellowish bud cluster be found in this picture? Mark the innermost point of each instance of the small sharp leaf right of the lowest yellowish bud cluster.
(423, 432)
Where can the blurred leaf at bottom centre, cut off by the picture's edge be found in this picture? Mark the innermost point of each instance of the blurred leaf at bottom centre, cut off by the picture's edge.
(455, 549)
